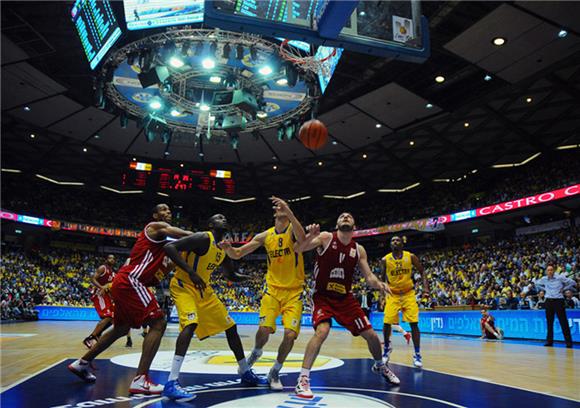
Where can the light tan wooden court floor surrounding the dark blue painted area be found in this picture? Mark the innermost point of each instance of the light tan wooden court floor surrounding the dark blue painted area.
(554, 371)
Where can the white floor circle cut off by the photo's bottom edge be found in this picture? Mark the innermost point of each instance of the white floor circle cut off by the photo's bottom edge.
(322, 399)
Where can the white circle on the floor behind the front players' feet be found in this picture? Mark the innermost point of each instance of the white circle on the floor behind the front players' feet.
(223, 362)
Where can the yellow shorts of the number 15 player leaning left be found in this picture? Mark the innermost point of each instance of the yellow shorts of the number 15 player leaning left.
(208, 312)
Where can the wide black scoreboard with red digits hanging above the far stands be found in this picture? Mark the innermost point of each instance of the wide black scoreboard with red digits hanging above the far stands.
(165, 180)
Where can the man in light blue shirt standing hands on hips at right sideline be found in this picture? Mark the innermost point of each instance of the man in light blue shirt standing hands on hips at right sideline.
(554, 286)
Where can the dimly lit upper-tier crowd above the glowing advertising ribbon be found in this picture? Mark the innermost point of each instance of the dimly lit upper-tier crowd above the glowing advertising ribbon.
(43, 199)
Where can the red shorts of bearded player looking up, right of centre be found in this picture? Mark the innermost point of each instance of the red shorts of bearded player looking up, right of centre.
(346, 311)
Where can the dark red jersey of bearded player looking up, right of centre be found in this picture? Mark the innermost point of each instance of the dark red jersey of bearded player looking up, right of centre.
(334, 268)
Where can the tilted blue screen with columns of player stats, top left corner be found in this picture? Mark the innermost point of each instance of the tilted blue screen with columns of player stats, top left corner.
(97, 28)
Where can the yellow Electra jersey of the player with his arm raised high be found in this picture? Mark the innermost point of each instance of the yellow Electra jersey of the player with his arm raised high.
(285, 267)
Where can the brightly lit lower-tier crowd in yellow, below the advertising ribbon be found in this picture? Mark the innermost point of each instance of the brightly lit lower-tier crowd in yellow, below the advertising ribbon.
(498, 274)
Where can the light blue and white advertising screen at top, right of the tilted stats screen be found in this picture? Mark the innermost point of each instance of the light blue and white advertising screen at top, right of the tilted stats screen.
(141, 14)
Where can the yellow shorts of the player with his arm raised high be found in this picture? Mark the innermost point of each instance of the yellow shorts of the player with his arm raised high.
(285, 302)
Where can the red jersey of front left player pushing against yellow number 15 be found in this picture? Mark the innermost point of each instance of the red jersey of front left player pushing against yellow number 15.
(147, 262)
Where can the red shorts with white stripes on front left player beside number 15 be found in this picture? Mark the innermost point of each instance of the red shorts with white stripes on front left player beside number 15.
(134, 303)
